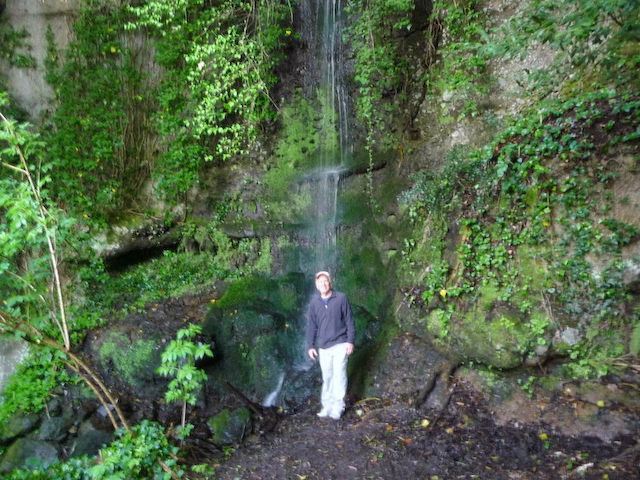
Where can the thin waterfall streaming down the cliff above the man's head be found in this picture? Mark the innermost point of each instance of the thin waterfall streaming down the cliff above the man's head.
(324, 36)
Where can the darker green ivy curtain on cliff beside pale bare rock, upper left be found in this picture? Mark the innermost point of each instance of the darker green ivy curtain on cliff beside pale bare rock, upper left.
(98, 141)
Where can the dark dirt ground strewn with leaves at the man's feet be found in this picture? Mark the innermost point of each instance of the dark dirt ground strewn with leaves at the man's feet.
(394, 441)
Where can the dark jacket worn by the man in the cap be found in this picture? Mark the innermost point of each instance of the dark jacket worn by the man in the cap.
(330, 325)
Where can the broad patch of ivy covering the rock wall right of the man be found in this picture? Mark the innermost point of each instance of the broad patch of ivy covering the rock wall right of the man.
(537, 193)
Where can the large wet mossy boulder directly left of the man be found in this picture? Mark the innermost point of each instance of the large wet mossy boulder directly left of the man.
(258, 329)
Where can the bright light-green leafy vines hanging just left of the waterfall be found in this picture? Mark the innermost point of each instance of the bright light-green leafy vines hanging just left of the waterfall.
(218, 67)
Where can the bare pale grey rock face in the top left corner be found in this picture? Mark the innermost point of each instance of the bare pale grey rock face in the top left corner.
(28, 86)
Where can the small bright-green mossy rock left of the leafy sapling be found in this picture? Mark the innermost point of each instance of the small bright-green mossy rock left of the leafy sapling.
(134, 360)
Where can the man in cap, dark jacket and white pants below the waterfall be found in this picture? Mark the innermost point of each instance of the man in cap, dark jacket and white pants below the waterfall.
(331, 326)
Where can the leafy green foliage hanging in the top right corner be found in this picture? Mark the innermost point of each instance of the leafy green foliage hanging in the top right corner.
(599, 40)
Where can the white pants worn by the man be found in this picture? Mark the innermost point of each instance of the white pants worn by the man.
(333, 363)
